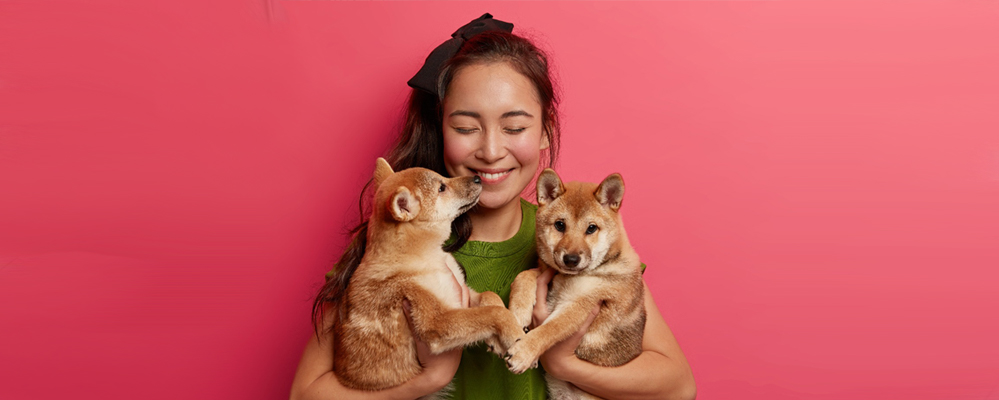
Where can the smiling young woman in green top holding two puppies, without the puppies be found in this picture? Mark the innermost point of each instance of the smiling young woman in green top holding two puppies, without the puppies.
(484, 104)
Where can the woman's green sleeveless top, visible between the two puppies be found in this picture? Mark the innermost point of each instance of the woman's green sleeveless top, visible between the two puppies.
(492, 267)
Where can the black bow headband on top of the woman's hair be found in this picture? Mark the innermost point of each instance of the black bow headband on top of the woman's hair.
(426, 78)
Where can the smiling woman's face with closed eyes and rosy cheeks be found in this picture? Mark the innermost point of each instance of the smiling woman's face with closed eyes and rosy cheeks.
(493, 129)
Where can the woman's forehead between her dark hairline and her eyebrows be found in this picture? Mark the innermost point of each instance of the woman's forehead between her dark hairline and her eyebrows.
(493, 88)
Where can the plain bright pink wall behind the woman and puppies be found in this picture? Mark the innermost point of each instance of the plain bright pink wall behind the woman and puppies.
(814, 185)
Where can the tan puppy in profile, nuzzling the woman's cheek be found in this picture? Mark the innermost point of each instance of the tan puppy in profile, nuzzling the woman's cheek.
(411, 219)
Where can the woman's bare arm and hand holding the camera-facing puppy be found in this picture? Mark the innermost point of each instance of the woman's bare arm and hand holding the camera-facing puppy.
(659, 372)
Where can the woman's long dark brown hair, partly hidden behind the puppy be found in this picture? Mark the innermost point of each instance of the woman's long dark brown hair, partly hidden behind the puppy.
(421, 144)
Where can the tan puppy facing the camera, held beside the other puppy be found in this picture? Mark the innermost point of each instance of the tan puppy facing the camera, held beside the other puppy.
(579, 233)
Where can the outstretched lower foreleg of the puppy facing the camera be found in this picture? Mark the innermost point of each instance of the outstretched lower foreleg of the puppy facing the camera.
(560, 325)
